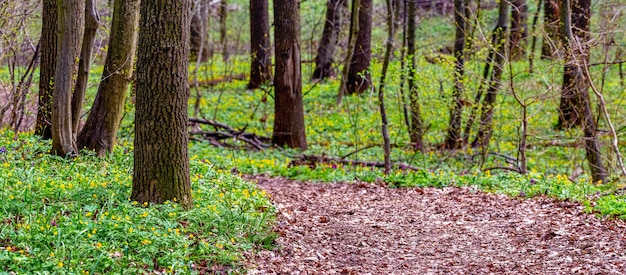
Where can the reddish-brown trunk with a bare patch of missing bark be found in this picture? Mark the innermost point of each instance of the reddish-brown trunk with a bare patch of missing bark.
(288, 109)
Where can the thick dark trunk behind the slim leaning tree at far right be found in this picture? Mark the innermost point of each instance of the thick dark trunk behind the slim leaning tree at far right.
(571, 108)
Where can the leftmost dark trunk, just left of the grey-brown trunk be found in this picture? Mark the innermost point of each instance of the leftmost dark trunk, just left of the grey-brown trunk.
(48, 53)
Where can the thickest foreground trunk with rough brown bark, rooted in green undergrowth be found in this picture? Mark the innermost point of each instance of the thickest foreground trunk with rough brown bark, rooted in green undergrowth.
(161, 160)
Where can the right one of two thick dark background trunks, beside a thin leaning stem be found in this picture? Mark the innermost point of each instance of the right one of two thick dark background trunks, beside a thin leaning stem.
(359, 76)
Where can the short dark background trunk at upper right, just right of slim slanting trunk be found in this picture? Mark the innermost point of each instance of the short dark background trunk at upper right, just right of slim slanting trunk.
(519, 29)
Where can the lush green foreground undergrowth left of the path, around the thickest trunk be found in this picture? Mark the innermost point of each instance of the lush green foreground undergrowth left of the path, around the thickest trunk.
(74, 216)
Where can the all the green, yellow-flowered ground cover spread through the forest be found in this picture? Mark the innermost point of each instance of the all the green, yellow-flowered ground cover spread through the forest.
(60, 216)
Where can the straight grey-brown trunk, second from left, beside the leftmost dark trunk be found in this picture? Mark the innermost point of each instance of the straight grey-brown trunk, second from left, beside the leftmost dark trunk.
(70, 33)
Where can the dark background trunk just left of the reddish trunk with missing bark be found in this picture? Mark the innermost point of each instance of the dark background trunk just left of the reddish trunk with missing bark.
(260, 66)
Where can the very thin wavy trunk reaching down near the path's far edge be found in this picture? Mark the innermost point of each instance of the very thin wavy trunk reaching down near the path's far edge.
(381, 89)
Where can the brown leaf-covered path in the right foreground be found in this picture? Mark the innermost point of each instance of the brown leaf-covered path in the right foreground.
(363, 228)
